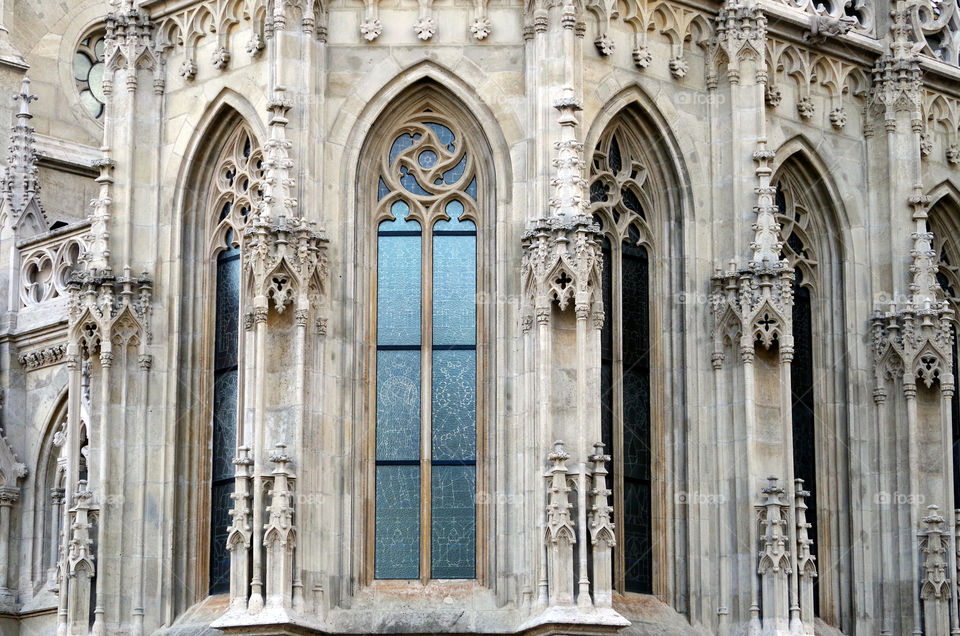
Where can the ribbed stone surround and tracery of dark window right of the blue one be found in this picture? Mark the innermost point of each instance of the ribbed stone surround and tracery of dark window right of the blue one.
(636, 194)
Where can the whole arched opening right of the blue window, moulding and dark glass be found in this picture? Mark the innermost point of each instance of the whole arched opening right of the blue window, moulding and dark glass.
(634, 198)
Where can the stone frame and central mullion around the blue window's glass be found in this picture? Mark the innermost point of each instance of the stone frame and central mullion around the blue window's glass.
(372, 211)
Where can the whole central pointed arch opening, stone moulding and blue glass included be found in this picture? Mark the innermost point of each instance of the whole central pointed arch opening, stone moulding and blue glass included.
(426, 218)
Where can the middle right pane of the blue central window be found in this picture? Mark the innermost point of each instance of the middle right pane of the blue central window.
(454, 405)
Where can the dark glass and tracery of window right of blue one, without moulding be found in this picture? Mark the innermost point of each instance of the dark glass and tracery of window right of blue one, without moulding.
(619, 202)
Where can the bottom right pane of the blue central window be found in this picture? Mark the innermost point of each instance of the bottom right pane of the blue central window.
(453, 540)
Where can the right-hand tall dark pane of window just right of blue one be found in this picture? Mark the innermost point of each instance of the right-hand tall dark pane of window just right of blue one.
(635, 321)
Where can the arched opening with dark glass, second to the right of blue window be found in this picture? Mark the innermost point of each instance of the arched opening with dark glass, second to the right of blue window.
(810, 231)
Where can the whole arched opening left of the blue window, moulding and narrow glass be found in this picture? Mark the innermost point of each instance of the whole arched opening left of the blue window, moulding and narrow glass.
(222, 190)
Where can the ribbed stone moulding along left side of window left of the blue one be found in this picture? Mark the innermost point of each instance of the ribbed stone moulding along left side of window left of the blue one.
(202, 237)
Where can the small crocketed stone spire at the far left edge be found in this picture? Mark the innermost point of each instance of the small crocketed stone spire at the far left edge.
(21, 185)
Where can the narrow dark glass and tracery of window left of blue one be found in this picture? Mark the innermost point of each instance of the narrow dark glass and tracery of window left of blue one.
(235, 191)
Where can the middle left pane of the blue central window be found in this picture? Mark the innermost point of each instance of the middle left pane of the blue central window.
(398, 405)
